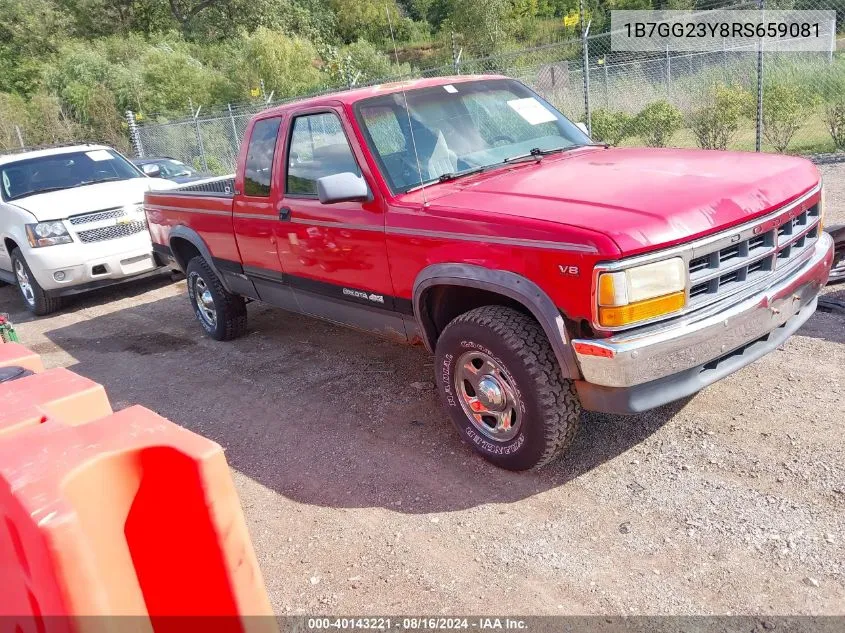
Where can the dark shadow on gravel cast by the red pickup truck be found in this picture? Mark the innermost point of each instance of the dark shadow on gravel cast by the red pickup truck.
(321, 414)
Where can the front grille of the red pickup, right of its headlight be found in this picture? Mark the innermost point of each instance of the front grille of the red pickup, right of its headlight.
(722, 269)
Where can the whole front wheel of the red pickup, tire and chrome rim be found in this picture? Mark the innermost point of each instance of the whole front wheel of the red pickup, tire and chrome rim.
(502, 386)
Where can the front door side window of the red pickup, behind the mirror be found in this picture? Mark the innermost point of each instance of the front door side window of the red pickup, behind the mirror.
(318, 147)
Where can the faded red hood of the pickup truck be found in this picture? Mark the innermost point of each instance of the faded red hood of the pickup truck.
(643, 199)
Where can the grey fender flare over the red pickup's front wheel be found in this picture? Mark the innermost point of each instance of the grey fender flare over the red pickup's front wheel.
(506, 283)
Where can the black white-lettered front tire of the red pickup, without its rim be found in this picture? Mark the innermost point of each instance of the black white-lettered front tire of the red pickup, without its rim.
(551, 409)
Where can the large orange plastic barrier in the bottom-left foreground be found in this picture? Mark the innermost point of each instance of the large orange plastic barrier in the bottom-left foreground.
(115, 514)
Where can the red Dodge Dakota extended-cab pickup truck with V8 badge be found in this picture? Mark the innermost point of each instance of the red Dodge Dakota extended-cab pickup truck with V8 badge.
(546, 273)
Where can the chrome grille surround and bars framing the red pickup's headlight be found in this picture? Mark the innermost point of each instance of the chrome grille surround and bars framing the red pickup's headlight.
(784, 261)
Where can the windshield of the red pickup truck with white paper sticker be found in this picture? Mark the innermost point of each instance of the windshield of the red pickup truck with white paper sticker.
(464, 127)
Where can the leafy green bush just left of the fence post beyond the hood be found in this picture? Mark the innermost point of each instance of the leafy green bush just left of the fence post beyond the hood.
(715, 124)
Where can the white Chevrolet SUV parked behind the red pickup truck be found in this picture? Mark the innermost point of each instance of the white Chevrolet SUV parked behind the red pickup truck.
(72, 219)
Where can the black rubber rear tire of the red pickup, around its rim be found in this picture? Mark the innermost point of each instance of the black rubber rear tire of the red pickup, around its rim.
(231, 321)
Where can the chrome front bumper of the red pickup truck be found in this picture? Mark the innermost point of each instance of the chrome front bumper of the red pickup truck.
(643, 370)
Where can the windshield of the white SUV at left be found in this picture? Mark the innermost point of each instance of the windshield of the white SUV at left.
(63, 171)
